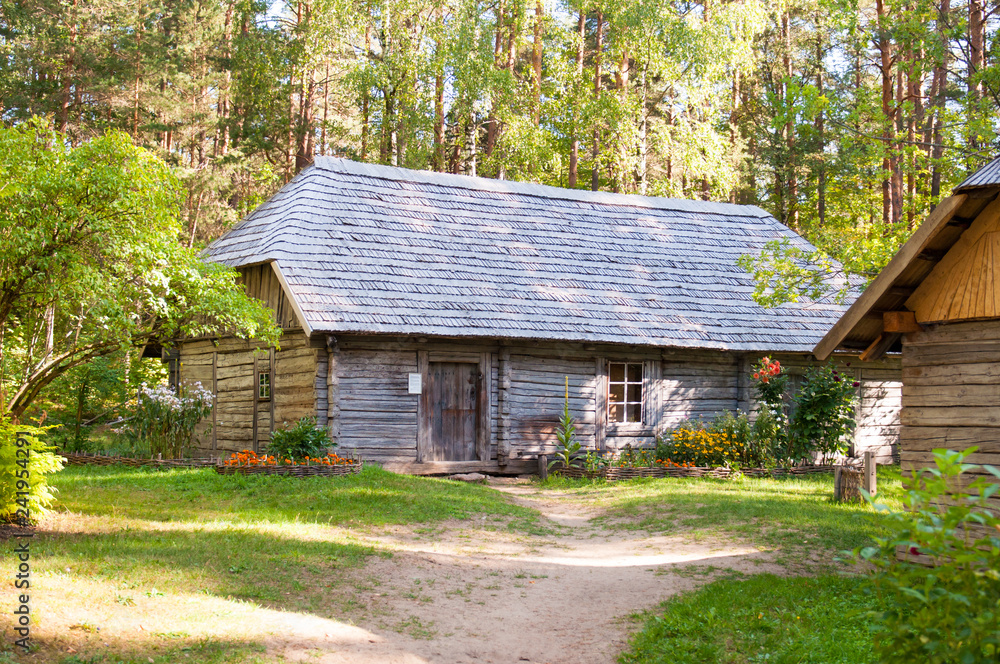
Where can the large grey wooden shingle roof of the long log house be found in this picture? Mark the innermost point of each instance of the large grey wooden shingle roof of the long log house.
(376, 249)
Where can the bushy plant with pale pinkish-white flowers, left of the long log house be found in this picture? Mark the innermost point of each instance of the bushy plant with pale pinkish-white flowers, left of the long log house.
(163, 421)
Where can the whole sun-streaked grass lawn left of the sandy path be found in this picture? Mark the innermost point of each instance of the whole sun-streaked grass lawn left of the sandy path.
(193, 548)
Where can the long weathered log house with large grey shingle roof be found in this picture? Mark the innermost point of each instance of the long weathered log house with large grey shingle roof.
(431, 320)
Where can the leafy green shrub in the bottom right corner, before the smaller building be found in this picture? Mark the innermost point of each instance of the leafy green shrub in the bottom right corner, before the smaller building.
(947, 610)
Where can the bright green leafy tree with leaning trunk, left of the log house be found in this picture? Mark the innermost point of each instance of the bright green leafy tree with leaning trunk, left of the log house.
(90, 263)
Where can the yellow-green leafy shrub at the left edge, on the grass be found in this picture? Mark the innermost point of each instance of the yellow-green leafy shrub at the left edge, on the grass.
(18, 474)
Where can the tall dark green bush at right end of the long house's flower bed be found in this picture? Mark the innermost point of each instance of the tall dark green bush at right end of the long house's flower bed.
(823, 417)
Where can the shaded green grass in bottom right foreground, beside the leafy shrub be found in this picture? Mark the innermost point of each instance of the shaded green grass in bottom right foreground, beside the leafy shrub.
(765, 618)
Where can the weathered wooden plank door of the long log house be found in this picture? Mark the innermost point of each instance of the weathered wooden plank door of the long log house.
(451, 417)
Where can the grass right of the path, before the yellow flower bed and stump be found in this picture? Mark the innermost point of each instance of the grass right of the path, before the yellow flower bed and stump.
(790, 513)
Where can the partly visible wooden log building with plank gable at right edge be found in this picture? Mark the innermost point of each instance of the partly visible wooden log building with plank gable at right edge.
(938, 302)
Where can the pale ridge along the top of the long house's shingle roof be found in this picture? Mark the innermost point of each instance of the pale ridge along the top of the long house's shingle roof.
(396, 174)
